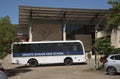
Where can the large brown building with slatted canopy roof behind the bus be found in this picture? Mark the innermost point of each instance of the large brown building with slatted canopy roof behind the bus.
(43, 23)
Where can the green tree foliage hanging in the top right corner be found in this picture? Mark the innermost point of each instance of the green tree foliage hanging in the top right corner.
(113, 18)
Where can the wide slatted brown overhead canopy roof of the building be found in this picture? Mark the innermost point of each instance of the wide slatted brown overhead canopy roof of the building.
(70, 15)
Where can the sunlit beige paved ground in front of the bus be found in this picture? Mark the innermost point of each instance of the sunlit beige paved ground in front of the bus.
(77, 71)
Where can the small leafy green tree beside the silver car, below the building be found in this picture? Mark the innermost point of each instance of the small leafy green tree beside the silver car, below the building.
(103, 46)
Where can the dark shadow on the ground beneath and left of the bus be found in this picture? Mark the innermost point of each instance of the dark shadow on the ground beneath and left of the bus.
(24, 69)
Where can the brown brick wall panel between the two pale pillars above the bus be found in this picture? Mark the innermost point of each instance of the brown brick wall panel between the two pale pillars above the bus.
(48, 31)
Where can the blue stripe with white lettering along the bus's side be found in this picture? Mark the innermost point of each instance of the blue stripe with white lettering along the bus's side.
(21, 54)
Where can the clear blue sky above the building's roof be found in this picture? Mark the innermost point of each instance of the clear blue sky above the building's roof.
(11, 7)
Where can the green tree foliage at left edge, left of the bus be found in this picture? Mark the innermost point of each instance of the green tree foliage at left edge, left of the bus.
(7, 36)
